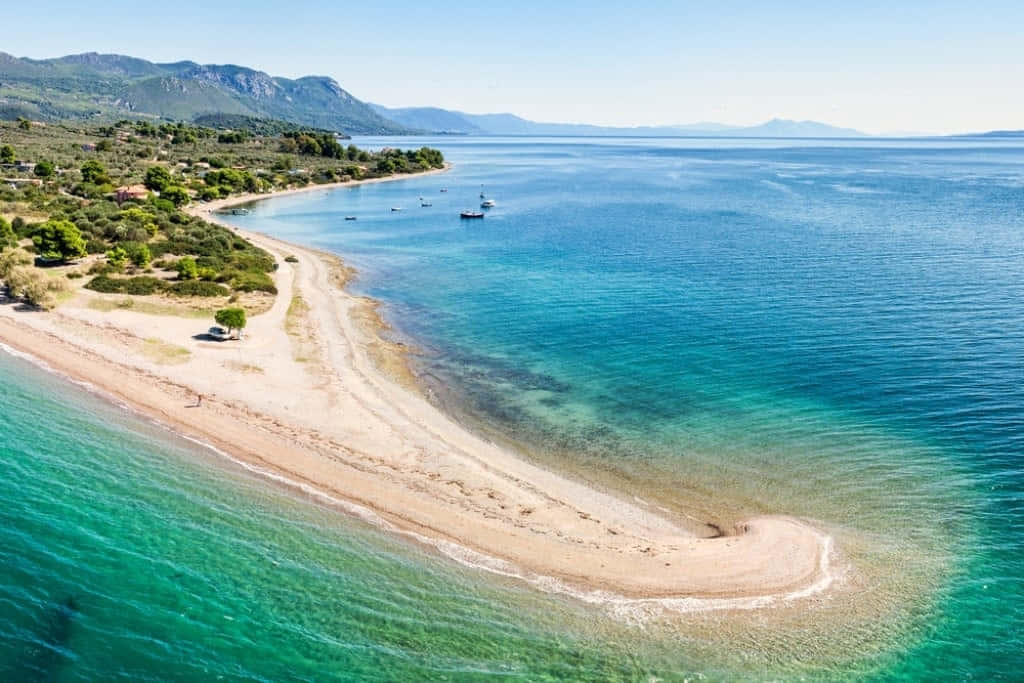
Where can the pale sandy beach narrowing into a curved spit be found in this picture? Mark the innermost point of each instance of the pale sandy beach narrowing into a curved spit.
(317, 397)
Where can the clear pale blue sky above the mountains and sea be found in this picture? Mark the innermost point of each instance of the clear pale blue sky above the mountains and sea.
(879, 67)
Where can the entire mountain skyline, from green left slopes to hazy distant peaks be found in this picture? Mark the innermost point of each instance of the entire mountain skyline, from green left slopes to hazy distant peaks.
(112, 87)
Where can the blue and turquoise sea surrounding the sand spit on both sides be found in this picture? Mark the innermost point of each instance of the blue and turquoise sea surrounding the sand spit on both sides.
(833, 330)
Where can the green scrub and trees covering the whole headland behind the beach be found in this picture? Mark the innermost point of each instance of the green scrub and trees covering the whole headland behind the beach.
(115, 194)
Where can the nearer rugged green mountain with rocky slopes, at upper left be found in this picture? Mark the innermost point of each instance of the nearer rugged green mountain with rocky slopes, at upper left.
(114, 86)
